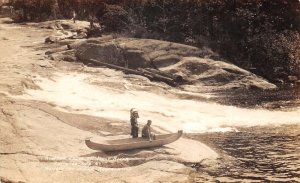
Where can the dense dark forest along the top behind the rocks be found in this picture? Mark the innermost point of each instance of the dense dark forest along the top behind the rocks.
(260, 35)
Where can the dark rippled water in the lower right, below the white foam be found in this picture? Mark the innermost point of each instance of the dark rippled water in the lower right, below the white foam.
(258, 154)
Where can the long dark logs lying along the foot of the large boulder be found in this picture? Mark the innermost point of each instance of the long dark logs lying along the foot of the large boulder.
(142, 72)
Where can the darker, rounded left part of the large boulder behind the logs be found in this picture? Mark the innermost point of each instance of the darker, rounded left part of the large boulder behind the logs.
(137, 53)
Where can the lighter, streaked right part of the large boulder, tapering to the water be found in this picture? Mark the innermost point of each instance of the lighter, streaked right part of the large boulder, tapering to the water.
(217, 75)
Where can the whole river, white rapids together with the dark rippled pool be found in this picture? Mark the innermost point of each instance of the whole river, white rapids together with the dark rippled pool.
(263, 141)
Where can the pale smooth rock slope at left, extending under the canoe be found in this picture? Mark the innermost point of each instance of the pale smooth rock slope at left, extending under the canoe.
(41, 143)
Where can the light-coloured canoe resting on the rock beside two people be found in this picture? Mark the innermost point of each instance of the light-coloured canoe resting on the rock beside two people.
(132, 143)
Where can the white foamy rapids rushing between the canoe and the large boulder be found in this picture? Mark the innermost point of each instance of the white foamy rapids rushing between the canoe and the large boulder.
(74, 93)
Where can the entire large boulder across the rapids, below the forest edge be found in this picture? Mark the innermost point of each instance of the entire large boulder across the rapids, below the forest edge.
(194, 64)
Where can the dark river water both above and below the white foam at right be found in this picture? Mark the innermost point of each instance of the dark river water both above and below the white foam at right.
(256, 154)
